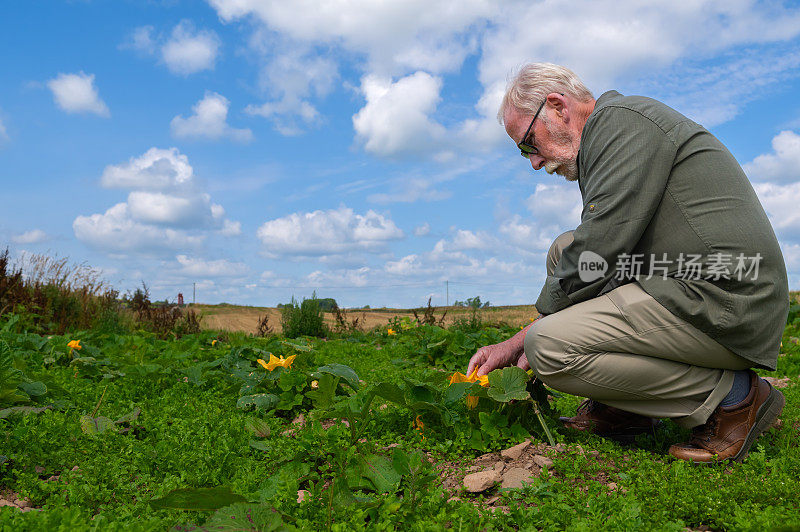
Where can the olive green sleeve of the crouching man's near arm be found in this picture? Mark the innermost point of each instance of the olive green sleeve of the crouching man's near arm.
(625, 162)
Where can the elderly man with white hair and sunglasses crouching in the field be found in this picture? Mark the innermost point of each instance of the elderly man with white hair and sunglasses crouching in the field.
(671, 288)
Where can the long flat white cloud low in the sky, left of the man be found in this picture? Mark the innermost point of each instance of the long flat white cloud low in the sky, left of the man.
(328, 232)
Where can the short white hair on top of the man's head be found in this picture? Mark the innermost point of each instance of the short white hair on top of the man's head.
(533, 82)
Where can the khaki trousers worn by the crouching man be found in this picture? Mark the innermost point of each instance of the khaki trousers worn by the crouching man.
(624, 349)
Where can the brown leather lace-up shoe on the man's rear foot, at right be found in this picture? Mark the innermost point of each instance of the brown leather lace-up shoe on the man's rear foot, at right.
(730, 431)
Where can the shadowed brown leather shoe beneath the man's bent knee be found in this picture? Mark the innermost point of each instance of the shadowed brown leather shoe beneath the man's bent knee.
(609, 422)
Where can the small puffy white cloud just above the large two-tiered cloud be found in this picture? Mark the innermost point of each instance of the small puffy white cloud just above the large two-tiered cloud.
(210, 120)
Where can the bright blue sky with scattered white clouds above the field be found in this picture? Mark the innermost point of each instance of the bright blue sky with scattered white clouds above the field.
(268, 149)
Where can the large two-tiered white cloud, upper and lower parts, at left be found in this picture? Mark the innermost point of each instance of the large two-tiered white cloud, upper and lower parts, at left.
(165, 209)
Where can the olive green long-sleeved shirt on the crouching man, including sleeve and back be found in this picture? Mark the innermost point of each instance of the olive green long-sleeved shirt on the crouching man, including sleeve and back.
(662, 192)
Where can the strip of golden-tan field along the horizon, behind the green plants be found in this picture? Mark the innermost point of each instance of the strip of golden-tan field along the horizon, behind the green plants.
(245, 319)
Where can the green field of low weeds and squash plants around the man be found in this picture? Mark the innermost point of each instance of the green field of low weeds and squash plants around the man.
(122, 433)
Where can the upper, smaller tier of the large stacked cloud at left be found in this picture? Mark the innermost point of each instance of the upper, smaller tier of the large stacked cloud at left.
(156, 169)
